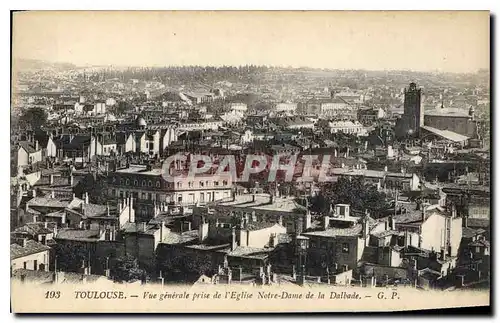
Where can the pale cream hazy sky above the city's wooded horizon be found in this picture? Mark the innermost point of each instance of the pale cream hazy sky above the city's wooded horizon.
(423, 41)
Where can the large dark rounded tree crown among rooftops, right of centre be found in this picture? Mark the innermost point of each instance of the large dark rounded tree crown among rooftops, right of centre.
(350, 191)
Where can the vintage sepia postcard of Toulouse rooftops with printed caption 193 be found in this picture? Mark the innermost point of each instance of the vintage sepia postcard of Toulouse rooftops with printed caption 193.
(249, 161)
